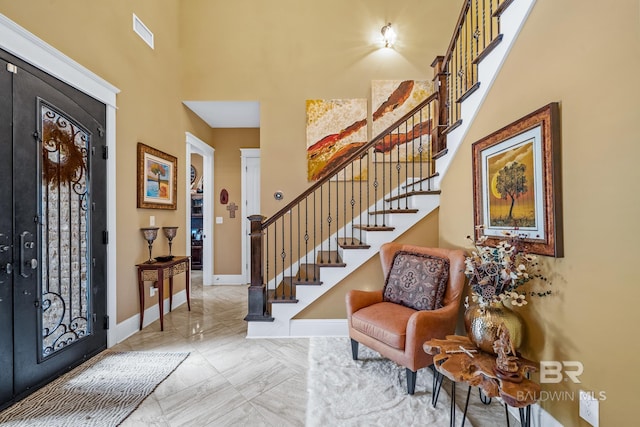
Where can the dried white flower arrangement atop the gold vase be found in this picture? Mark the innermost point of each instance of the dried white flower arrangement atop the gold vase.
(497, 273)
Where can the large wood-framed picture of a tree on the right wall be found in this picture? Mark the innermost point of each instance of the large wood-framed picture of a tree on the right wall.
(517, 182)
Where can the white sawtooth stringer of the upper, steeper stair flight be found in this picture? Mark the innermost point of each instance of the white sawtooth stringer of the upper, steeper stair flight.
(511, 21)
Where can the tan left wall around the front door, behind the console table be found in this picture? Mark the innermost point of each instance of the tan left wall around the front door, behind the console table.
(98, 35)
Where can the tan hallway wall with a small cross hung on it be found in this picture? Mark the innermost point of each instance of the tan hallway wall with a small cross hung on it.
(227, 175)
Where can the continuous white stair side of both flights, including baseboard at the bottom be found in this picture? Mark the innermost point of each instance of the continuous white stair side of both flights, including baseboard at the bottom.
(284, 325)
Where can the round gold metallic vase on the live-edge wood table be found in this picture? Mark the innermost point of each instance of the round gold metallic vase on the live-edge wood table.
(483, 322)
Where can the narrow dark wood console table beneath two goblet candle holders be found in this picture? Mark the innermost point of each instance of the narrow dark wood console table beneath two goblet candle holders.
(158, 271)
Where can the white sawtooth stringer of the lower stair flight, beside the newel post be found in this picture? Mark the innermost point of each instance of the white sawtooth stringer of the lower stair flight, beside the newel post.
(354, 258)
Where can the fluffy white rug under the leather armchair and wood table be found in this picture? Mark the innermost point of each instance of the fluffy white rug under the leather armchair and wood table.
(372, 391)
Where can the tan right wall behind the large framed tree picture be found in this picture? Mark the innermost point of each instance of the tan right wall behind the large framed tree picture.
(586, 56)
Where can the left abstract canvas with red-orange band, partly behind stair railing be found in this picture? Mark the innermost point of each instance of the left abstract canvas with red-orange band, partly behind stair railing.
(335, 129)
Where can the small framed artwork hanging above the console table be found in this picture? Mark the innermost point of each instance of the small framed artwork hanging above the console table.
(157, 178)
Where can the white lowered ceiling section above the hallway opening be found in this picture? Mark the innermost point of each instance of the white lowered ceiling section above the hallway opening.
(227, 114)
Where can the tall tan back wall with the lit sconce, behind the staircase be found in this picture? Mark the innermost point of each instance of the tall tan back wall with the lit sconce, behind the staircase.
(284, 52)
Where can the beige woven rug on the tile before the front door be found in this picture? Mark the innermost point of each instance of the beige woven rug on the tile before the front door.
(100, 392)
